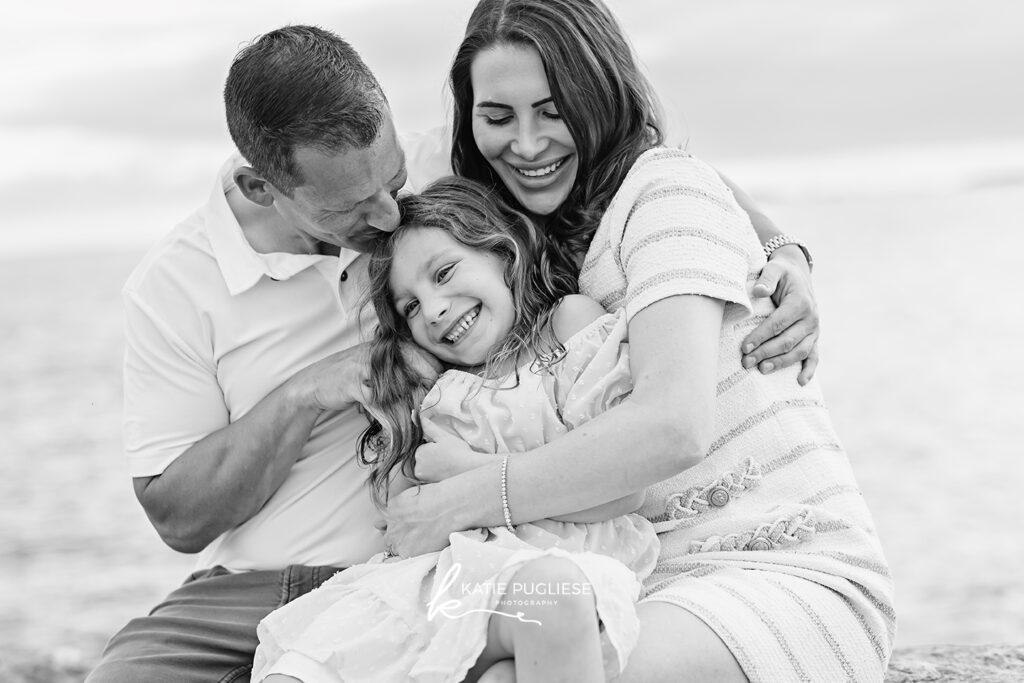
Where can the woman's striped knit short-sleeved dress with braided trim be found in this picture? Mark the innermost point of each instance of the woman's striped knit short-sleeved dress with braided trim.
(769, 540)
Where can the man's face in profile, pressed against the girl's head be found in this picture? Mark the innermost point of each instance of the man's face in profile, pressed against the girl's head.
(349, 197)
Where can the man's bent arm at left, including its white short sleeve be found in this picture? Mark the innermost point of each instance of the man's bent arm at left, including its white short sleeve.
(199, 471)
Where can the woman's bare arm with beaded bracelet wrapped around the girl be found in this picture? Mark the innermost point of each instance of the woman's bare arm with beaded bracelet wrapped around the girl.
(664, 429)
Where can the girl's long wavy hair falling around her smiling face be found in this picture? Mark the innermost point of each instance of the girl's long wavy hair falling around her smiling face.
(475, 217)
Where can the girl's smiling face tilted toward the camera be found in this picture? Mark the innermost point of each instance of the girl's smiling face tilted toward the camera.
(453, 297)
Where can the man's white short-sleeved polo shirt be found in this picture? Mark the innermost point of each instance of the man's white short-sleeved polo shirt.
(212, 327)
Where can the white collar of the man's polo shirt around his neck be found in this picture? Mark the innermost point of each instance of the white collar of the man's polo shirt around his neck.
(241, 266)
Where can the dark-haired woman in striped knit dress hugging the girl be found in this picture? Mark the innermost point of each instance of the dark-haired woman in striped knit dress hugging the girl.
(771, 569)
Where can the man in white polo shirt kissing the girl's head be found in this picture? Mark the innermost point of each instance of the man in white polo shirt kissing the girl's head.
(243, 365)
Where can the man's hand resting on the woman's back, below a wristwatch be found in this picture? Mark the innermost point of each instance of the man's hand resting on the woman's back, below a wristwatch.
(791, 334)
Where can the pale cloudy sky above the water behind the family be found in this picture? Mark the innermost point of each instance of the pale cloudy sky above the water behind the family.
(112, 124)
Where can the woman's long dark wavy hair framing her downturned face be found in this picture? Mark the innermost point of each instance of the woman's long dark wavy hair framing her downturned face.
(608, 105)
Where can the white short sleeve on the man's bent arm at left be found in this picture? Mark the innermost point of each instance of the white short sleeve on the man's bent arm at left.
(173, 399)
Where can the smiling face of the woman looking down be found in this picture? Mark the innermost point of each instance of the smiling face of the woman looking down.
(519, 131)
